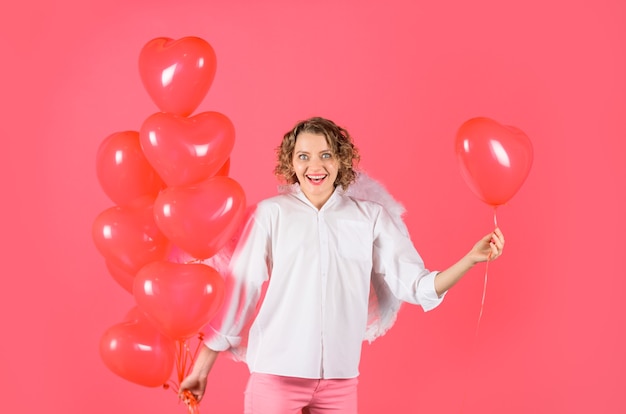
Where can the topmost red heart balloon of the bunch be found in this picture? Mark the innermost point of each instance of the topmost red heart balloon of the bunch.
(177, 74)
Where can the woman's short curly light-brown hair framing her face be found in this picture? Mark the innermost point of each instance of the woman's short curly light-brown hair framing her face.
(339, 140)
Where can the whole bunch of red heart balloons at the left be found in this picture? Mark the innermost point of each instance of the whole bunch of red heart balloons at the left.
(170, 185)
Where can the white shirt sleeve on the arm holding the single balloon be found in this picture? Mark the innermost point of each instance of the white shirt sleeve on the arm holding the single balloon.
(397, 260)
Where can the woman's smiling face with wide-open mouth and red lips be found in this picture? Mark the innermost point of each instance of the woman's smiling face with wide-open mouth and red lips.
(315, 166)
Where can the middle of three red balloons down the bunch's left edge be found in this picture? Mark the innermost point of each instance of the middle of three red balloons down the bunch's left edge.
(128, 236)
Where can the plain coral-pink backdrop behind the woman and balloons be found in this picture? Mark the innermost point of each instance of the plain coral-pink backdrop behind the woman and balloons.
(401, 75)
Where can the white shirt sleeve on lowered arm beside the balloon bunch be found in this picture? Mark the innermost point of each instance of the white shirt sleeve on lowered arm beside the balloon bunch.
(247, 272)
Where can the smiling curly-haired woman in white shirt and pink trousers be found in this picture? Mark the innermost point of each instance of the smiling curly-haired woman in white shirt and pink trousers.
(318, 250)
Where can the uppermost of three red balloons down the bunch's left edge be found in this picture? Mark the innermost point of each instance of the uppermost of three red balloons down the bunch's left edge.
(123, 170)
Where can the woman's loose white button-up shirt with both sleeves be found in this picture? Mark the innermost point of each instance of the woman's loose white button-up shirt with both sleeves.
(312, 319)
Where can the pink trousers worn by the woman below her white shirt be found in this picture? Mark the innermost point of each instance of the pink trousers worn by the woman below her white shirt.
(273, 394)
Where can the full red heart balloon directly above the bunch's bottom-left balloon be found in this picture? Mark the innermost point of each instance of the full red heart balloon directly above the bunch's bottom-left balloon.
(179, 298)
